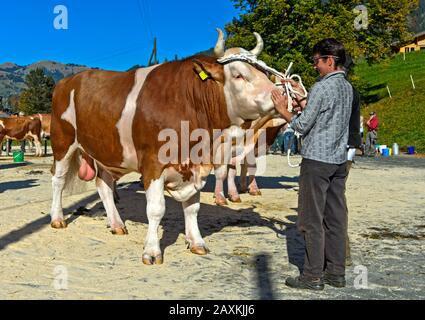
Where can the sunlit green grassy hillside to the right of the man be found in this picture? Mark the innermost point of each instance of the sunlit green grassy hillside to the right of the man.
(402, 117)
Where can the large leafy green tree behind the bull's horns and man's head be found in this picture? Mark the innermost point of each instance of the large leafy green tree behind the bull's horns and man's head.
(291, 27)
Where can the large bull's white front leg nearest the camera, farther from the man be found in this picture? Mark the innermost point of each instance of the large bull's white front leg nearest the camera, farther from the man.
(155, 209)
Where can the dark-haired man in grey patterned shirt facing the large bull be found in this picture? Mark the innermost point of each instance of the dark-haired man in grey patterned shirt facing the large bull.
(324, 122)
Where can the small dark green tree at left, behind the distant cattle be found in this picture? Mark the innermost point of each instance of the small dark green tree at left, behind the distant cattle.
(37, 98)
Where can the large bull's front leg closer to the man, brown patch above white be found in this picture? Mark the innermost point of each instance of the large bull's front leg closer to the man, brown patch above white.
(193, 235)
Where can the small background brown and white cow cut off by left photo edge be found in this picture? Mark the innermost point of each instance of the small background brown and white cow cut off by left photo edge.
(22, 128)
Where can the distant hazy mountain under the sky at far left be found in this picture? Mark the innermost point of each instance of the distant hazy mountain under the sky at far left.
(12, 76)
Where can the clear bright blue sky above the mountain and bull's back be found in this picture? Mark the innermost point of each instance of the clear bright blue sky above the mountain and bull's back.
(109, 34)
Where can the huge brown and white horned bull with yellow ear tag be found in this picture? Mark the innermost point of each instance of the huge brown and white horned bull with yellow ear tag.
(107, 124)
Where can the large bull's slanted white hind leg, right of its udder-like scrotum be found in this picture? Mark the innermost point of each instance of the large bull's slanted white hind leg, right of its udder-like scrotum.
(106, 186)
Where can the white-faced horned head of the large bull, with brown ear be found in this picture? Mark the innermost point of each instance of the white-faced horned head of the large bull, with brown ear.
(247, 89)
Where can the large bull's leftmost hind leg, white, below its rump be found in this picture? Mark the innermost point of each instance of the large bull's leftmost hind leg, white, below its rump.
(61, 169)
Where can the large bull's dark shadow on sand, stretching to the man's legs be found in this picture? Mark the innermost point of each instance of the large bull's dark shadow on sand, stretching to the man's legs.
(211, 219)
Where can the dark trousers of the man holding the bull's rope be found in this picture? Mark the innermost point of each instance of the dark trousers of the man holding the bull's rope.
(322, 217)
